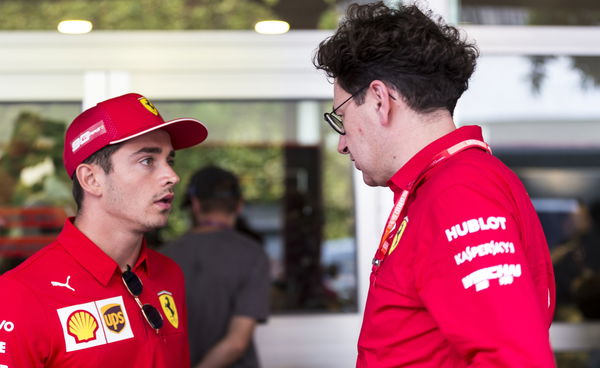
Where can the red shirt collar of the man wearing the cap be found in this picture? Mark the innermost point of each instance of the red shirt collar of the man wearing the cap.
(92, 258)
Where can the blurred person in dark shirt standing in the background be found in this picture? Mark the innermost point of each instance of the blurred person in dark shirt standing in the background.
(226, 274)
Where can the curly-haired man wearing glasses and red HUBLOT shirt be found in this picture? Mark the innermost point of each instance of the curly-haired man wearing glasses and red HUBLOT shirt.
(462, 275)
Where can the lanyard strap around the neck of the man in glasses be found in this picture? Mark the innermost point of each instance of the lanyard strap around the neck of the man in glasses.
(392, 222)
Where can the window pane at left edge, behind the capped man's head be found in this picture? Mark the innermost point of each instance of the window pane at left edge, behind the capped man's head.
(35, 195)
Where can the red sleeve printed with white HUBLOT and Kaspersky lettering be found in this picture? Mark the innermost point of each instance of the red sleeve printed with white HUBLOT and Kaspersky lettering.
(474, 278)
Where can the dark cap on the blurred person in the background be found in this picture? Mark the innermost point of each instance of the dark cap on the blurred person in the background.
(216, 188)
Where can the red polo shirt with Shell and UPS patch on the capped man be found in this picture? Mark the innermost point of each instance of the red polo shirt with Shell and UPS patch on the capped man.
(66, 306)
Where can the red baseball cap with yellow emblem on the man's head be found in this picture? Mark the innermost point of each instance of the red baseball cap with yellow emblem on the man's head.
(119, 119)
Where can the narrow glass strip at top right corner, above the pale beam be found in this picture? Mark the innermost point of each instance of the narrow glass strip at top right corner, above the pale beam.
(530, 12)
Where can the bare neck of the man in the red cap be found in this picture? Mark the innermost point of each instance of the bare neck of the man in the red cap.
(121, 244)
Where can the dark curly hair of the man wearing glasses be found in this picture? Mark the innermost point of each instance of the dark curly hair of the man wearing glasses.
(424, 59)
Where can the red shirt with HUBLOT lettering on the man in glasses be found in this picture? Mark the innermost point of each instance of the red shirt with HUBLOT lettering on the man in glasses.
(470, 281)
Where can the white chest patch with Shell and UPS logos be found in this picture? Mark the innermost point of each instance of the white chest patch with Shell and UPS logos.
(95, 323)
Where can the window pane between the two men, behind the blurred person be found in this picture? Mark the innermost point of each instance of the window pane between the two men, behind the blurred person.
(298, 195)
